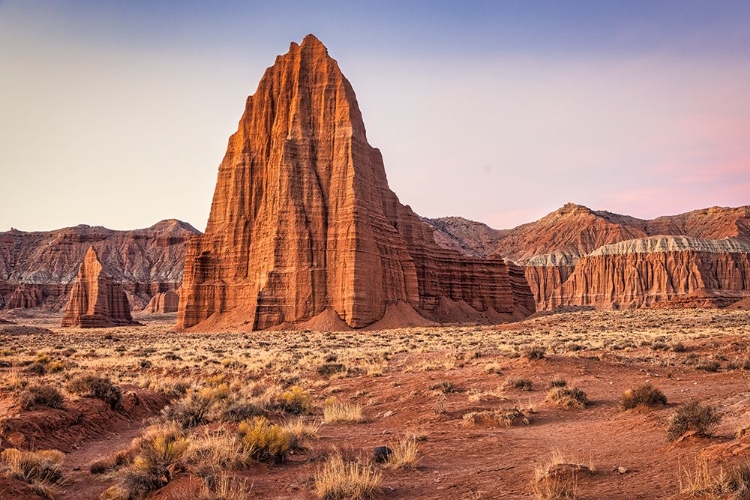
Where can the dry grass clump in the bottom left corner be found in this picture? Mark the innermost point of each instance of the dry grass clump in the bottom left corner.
(42, 470)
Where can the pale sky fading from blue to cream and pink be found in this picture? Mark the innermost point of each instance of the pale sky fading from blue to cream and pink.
(118, 113)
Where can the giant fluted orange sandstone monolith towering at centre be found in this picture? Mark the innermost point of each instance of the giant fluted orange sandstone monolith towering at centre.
(303, 225)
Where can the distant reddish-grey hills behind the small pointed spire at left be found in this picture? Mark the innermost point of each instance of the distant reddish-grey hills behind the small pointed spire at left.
(38, 268)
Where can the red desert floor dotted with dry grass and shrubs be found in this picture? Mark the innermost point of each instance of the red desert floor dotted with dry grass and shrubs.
(467, 409)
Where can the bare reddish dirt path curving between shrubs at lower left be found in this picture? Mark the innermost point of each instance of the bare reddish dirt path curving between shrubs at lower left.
(82, 484)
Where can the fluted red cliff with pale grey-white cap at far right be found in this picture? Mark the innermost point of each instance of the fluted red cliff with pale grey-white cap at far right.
(659, 270)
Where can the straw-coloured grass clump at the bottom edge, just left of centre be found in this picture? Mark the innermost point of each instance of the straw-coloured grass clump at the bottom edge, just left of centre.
(354, 480)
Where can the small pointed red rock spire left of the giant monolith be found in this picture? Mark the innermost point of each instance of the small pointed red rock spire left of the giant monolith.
(96, 301)
